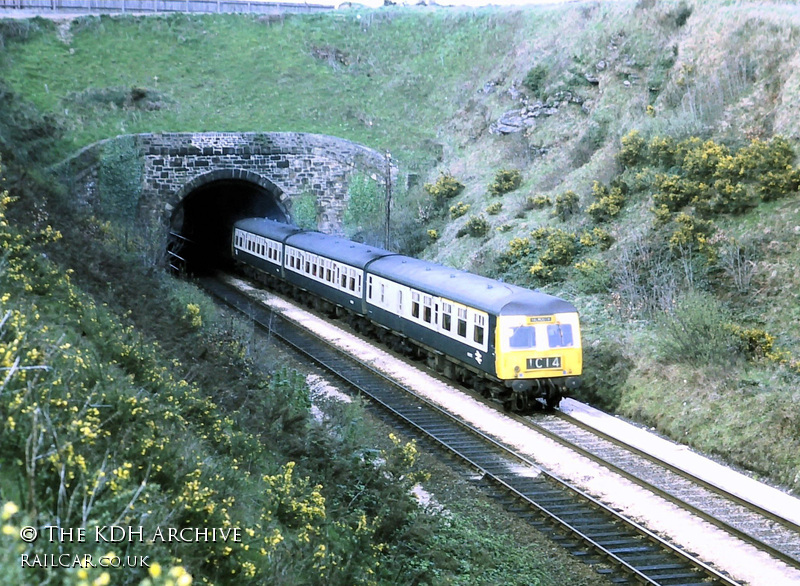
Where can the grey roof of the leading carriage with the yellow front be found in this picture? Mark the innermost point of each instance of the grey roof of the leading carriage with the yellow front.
(468, 289)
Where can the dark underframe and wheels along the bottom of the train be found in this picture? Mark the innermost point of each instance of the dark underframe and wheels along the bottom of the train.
(518, 396)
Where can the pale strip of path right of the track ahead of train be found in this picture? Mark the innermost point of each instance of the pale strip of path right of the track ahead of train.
(767, 497)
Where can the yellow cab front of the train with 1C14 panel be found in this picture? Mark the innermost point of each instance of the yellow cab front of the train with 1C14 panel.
(534, 349)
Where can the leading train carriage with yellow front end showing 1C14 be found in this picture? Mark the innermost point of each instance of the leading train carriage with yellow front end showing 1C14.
(529, 340)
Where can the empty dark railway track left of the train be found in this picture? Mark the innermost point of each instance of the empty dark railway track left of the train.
(624, 551)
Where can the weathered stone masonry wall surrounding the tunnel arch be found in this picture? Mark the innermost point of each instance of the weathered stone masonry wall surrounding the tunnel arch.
(287, 164)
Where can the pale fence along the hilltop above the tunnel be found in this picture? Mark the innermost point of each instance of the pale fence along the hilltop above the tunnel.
(161, 6)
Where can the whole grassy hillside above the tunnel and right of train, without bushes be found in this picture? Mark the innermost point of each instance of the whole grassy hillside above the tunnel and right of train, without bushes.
(410, 82)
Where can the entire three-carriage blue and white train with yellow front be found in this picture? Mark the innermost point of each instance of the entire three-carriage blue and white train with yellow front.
(518, 346)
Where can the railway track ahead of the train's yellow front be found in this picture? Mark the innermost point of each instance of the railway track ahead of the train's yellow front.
(753, 524)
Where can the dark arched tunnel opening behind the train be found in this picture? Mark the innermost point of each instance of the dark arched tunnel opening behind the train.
(201, 225)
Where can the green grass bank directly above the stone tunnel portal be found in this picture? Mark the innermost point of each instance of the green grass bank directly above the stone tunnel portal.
(385, 79)
